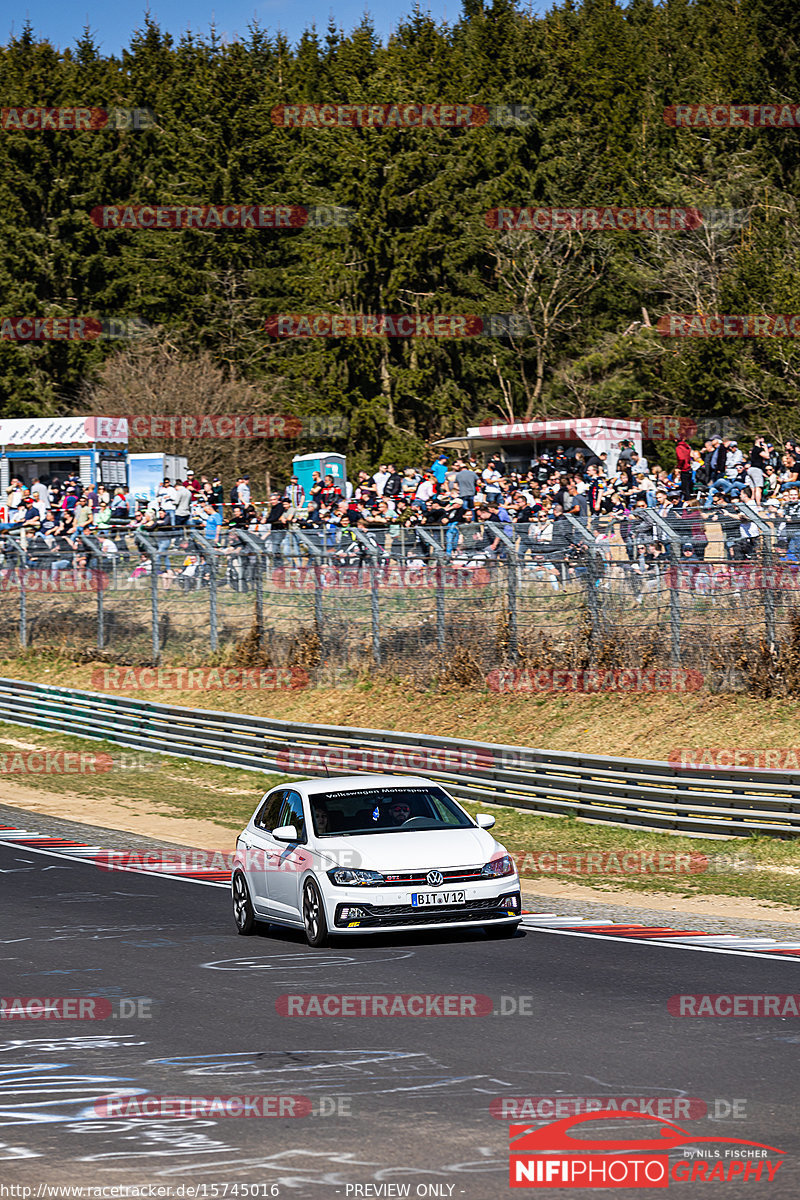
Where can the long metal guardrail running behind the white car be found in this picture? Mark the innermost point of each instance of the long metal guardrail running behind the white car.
(634, 793)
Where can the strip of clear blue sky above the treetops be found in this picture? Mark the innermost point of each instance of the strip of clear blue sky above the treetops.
(63, 22)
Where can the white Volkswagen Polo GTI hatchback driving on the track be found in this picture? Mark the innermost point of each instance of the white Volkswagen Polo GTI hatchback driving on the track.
(360, 854)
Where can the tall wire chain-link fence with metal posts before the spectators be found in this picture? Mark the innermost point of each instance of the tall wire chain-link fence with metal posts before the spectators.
(709, 591)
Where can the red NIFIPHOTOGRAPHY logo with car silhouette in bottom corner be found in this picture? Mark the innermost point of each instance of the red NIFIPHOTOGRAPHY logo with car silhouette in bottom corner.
(551, 1157)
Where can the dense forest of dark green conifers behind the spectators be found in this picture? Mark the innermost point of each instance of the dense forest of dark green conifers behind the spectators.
(598, 79)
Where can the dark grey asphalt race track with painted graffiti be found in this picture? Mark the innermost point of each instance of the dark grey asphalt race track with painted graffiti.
(395, 1101)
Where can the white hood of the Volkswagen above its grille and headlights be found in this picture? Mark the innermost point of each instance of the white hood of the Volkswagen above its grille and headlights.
(416, 850)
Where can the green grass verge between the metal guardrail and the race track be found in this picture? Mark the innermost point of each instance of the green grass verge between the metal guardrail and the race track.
(765, 869)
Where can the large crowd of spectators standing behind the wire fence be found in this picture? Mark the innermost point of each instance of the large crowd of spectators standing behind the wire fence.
(550, 514)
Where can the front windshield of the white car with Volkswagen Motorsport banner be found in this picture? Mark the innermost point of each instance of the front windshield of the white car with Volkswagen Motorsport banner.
(384, 811)
